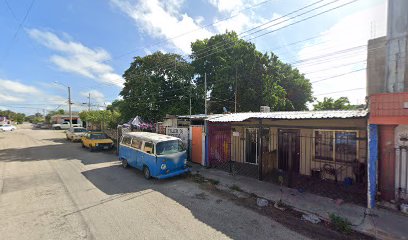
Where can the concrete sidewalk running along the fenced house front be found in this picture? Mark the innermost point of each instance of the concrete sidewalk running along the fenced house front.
(380, 223)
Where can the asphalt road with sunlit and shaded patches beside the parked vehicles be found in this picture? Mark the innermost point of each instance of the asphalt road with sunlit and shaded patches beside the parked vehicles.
(54, 189)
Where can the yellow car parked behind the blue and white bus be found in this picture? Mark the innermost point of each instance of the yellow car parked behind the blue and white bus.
(96, 141)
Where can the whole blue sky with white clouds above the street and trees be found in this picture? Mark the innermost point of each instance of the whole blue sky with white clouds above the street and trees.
(88, 44)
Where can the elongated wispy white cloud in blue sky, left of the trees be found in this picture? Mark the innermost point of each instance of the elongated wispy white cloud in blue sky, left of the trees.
(76, 58)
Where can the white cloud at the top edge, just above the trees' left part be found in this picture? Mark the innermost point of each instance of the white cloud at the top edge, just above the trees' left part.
(164, 20)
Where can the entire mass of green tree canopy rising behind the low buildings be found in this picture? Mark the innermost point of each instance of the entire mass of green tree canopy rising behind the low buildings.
(162, 83)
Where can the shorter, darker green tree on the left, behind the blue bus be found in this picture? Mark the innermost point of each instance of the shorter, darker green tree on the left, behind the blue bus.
(152, 89)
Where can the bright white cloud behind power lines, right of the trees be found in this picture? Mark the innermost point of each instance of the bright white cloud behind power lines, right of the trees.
(351, 31)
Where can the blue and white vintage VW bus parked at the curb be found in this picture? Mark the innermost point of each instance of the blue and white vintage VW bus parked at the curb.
(159, 156)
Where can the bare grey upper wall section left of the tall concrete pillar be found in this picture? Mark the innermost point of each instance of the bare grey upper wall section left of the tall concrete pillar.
(376, 52)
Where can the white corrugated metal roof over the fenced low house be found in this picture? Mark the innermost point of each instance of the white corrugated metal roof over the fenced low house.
(239, 117)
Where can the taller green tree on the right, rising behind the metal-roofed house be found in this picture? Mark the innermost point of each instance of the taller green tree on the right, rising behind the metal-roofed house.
(231, 63)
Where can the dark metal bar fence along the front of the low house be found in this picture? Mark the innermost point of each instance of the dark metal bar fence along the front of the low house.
(327, 162)
